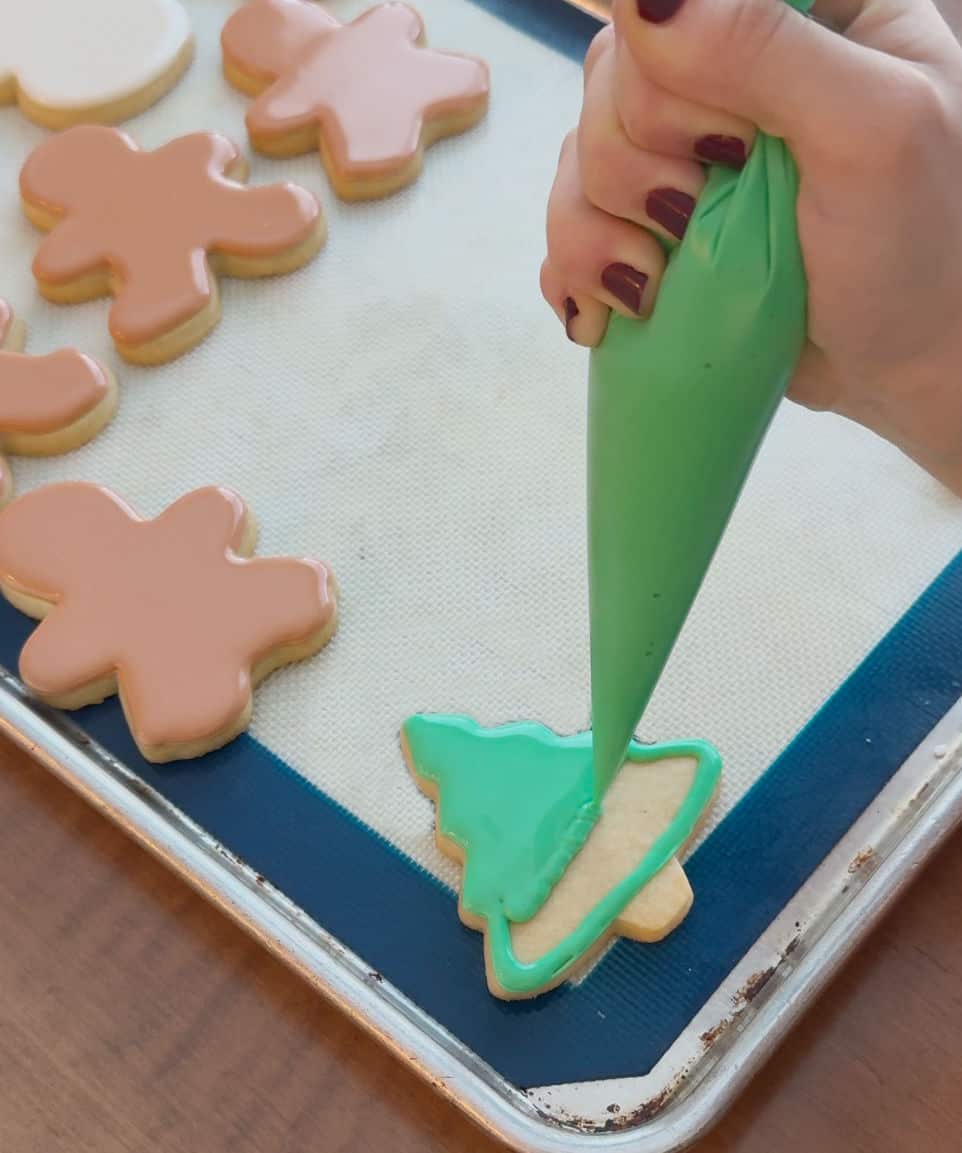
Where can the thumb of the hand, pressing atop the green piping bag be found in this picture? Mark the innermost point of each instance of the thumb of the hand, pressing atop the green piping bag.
(757, 59)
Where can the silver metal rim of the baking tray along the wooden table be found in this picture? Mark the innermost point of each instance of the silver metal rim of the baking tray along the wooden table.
(381, 1009)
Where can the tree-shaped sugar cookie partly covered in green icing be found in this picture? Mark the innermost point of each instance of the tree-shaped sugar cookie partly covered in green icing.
(551, 876)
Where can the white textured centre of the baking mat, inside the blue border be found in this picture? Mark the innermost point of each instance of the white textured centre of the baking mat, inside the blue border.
(408, 409)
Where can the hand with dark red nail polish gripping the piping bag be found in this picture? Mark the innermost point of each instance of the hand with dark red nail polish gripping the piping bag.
(874, 117)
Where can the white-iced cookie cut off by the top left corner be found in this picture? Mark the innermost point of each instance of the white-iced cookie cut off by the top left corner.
(67, 62)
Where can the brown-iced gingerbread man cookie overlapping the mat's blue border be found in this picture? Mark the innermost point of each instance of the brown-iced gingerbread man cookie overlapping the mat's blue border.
(169, 613)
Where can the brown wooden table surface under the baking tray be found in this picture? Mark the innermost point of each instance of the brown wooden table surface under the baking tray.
(134, 1019)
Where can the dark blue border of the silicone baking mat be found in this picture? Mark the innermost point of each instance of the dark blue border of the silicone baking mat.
(626, 1015)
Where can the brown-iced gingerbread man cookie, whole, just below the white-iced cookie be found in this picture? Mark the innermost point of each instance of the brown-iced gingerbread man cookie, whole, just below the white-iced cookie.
(155, 229)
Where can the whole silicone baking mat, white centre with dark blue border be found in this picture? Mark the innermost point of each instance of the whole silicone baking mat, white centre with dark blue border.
(408, 409)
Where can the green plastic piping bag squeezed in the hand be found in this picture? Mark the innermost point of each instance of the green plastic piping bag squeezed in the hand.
(679, 406)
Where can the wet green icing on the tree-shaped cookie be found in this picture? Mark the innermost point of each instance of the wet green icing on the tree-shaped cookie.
(520, 802)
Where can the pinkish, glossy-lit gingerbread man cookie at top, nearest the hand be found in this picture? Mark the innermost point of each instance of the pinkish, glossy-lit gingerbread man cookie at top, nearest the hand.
(369, 93)
